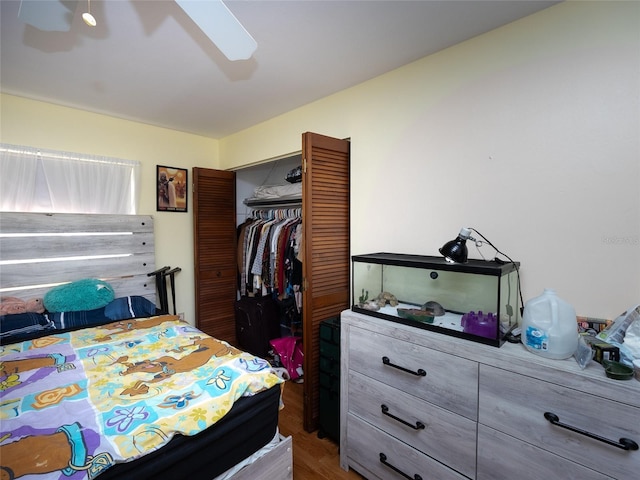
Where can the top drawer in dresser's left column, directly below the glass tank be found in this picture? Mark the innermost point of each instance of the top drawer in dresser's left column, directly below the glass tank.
(445, 380)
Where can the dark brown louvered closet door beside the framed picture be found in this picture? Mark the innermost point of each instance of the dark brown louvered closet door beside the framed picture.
(214, 222)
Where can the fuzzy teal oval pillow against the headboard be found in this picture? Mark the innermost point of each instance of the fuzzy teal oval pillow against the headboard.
(87, 294)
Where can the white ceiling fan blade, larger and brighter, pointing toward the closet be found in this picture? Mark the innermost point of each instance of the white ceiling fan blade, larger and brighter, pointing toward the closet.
(221, 26)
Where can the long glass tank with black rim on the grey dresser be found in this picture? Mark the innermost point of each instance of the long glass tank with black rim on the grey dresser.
(478, 300)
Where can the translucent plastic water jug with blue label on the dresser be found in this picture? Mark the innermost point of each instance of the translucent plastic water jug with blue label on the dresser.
(549, 326)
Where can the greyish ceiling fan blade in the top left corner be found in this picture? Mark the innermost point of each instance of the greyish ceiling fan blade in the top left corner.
(48, 15)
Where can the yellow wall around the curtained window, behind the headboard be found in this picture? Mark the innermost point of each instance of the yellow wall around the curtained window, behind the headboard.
(47, 126)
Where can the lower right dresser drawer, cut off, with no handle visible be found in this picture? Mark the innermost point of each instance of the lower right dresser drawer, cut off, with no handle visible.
(501, 457)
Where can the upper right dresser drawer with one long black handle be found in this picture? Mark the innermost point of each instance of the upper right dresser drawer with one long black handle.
(515, 404)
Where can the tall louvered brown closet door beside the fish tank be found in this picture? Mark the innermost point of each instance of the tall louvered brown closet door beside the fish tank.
(326, 266)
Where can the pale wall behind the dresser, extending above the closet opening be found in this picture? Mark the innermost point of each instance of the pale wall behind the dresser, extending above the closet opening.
(529, 133)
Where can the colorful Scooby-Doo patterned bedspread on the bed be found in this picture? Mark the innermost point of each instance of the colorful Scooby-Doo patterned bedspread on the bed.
(73, 404)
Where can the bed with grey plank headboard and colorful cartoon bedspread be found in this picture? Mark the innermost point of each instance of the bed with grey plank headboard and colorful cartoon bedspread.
(131, 394)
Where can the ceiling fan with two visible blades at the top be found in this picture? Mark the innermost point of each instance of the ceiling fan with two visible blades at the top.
(211, 16)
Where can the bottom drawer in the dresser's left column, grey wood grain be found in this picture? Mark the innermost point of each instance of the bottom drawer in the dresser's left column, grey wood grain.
(369, 447)
